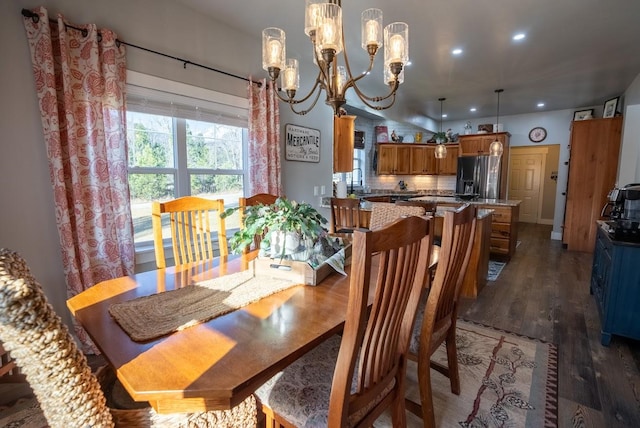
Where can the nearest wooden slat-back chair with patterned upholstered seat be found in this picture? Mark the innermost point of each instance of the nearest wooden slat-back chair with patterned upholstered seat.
(351, 380)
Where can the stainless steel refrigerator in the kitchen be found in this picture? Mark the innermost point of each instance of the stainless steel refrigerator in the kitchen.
(479, 175)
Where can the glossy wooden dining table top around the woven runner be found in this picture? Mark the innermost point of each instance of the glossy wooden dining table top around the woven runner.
(217, 364)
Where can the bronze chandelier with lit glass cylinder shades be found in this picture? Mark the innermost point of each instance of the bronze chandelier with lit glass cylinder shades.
(323, 25)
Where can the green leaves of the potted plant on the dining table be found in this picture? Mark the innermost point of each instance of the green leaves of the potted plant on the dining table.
(284, 216)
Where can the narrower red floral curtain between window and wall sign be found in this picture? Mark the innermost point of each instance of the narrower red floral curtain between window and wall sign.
(264, 140)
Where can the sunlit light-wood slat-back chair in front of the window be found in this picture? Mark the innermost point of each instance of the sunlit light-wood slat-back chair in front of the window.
(190, 221)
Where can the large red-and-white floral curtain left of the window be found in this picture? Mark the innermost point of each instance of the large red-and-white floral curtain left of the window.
(80, 81)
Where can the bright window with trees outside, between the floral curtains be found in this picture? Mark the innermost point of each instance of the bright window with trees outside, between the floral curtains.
(181, 146)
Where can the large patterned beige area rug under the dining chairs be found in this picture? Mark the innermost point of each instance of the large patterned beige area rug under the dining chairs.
(507, 380)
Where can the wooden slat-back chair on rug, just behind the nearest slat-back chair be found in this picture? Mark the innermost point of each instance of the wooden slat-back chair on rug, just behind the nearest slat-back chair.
(438, 310)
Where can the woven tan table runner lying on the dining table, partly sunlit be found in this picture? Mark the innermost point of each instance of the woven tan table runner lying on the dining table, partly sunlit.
(154, 316)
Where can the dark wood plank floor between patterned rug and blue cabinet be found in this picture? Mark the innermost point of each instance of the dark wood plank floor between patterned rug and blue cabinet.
(543, 292)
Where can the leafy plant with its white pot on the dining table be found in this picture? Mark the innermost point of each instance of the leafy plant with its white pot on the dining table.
(290, 229)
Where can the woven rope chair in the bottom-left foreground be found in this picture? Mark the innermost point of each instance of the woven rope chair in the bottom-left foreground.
(68, 393)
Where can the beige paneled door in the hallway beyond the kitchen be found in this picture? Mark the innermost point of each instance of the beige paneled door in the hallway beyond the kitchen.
(524, 184)
